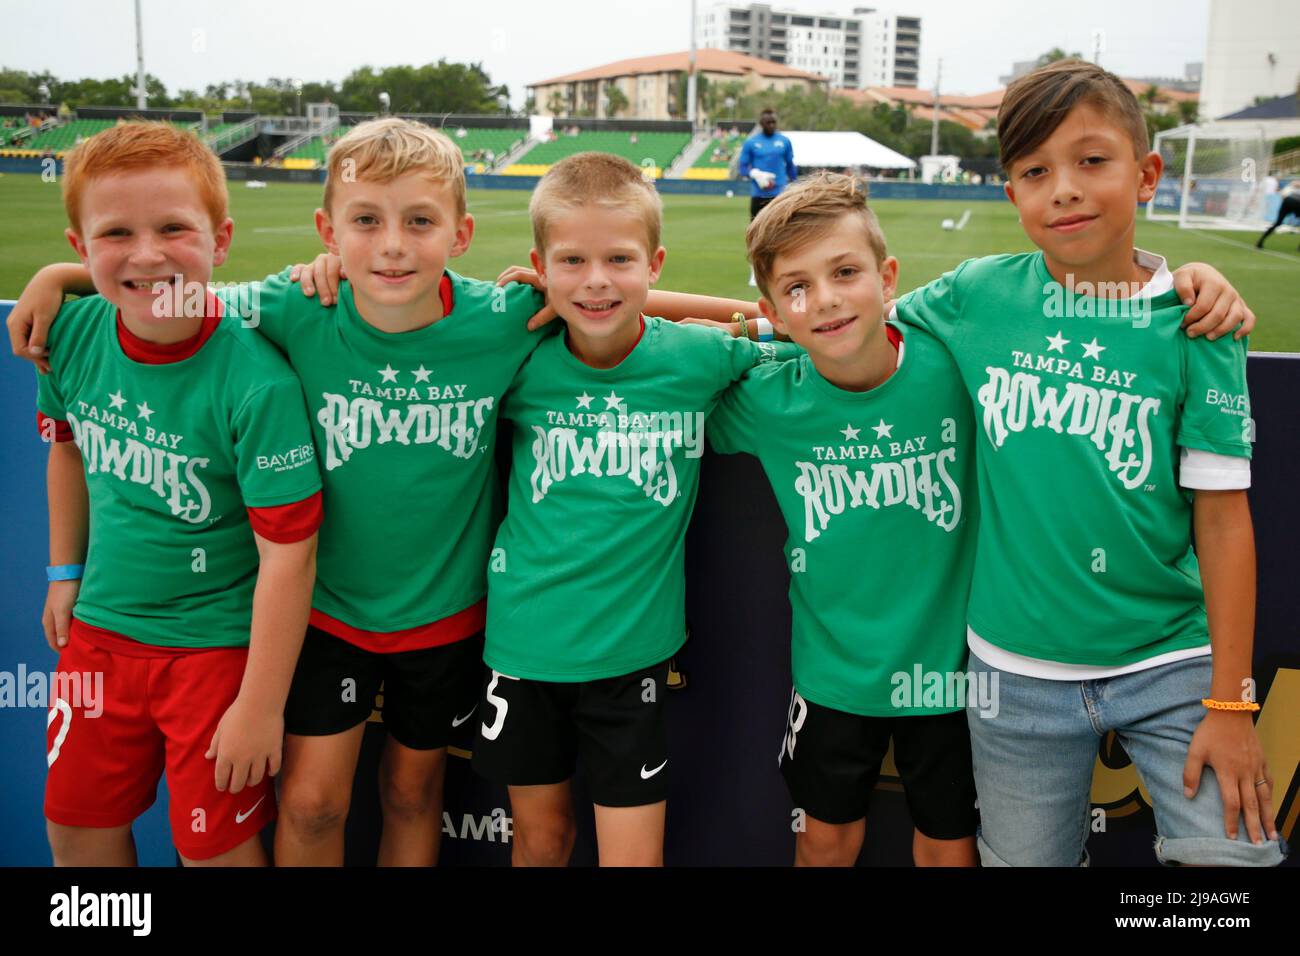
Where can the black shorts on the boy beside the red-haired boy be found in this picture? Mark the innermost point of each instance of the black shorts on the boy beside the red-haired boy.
(427, 694)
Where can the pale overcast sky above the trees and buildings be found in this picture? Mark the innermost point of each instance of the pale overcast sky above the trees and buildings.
(192, 44)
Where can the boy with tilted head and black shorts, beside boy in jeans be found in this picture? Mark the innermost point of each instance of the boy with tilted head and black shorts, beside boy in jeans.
(869, 444)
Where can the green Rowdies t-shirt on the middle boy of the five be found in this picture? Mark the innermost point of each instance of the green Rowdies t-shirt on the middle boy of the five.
(588, 576)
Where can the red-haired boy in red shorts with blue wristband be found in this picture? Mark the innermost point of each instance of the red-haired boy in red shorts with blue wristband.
(184, 505)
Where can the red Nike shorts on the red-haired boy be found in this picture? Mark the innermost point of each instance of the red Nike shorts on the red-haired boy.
(129, 711)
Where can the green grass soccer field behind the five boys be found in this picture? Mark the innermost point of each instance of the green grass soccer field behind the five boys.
(704, 236)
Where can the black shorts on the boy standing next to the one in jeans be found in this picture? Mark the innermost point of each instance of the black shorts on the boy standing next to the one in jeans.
(831, 762)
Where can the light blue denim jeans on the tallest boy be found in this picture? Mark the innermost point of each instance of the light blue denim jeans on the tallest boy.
(1034, 764)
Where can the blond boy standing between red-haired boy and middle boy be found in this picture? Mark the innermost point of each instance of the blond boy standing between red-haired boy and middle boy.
(402, 380)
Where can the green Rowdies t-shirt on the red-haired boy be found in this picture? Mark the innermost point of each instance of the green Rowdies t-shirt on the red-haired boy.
(175, 455)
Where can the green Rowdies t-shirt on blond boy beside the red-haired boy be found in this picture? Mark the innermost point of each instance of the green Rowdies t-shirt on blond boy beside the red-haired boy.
(405, 426)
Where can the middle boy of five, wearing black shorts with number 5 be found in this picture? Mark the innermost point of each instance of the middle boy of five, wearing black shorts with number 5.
(587, 583)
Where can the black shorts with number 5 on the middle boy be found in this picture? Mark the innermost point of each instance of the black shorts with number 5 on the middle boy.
(535, 733)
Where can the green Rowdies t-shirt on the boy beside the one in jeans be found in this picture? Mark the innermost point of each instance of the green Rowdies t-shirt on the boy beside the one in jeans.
(878, 492)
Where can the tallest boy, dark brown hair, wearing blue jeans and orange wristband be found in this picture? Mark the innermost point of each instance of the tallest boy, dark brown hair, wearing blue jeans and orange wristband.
(1108, 436)
